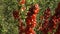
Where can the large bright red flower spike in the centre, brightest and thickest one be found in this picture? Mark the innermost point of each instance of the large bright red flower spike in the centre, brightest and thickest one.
(31, 19)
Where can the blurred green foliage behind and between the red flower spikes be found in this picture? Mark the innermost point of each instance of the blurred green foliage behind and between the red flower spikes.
(10, 26)
